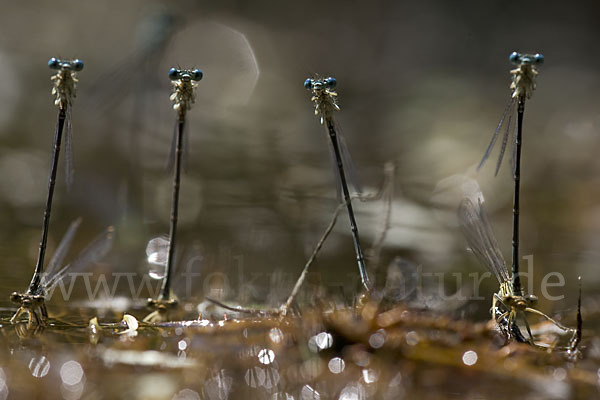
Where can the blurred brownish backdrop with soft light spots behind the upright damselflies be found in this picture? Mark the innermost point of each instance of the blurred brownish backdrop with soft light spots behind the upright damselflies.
(422, 84)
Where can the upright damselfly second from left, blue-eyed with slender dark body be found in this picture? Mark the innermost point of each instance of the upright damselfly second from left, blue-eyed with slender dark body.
(183, 96)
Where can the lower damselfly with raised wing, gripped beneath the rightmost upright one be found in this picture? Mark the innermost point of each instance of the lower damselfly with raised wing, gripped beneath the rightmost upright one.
(507, 304)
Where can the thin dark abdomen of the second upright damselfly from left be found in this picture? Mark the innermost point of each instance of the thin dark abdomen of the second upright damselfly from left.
(166, 288)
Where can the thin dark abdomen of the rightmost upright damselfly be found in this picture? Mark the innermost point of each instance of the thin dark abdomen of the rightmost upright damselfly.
(516, 279)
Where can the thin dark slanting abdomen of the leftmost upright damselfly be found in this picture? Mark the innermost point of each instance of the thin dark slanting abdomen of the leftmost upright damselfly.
(34, 286)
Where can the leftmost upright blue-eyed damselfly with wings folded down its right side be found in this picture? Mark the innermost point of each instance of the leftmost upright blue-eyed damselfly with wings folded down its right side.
(63, 90)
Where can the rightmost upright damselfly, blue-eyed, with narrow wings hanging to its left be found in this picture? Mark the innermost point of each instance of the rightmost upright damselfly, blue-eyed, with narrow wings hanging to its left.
(522, 86)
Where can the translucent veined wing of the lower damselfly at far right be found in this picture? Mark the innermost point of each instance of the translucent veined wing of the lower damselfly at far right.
(480, 237)
